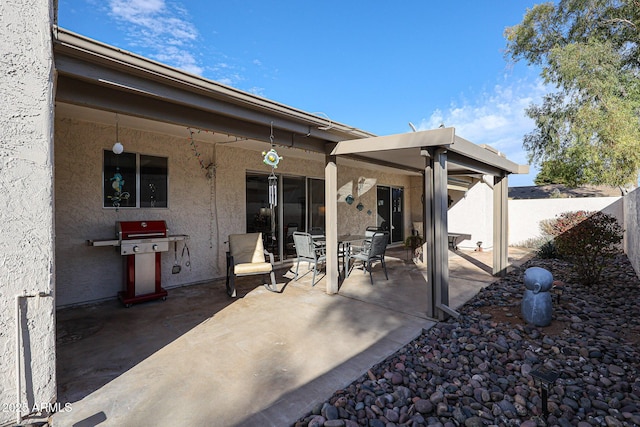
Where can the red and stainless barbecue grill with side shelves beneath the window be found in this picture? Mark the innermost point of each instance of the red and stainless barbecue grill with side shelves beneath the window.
(141, 244)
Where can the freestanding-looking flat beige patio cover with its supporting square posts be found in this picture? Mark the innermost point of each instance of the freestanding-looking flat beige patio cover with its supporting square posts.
(437, 154)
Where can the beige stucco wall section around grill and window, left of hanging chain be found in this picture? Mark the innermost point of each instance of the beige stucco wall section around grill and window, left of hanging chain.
(86, 273)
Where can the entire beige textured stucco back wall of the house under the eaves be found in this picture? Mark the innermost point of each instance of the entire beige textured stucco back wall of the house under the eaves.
(206, 209)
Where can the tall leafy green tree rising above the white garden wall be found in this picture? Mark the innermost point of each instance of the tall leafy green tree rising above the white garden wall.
(588, 129)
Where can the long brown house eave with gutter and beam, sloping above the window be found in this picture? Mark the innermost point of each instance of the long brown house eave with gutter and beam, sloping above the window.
(98, 80)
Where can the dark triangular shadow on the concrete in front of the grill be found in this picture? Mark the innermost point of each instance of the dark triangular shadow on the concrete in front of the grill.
(97, 343)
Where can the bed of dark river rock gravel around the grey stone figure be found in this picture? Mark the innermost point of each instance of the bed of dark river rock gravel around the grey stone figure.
(476, 370)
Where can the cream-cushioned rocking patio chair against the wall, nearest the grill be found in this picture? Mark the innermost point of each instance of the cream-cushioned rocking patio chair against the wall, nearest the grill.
(246, 257)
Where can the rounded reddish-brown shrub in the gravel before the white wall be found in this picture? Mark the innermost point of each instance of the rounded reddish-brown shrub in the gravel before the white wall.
(588, 240)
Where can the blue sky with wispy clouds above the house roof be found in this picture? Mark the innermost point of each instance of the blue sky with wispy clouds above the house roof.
(375, 65)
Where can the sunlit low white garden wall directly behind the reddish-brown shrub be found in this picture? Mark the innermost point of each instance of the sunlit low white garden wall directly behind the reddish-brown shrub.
(525, 215)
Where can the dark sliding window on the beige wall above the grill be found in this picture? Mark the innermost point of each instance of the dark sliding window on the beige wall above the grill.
(133, 180)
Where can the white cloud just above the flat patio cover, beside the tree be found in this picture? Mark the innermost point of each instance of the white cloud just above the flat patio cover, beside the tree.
(496, 118)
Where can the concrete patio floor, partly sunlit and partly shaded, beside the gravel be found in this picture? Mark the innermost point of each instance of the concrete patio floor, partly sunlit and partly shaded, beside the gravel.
(262, 359)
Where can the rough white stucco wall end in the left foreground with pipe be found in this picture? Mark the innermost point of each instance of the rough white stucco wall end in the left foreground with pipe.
(26, 197)
